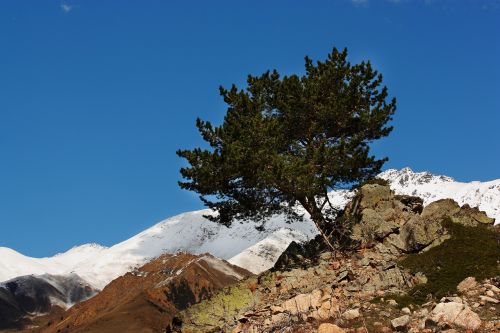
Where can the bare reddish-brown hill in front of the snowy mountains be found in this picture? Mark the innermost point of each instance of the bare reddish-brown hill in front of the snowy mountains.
(146, 299)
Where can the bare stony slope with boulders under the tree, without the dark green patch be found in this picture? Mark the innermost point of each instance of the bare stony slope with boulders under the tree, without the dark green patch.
(353, 291)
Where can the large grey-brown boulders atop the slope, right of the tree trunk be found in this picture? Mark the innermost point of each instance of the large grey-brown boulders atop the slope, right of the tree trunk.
(403, 220)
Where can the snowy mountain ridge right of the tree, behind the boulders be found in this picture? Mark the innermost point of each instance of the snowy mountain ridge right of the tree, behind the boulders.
(484, 195)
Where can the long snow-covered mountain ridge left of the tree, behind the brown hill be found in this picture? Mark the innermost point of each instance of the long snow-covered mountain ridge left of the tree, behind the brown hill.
(188, 232)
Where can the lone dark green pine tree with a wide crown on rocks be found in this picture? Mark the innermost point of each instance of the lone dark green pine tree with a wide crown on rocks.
(287, 141)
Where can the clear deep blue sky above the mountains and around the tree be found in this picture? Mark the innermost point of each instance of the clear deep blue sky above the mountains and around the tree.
(96, 96)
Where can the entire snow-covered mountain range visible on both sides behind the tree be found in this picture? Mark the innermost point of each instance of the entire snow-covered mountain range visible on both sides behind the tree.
(241, 244)
